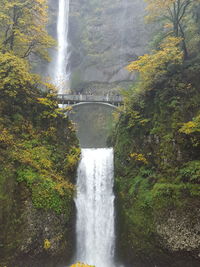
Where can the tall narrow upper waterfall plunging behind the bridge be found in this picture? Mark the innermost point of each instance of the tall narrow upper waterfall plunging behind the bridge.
(62, 74)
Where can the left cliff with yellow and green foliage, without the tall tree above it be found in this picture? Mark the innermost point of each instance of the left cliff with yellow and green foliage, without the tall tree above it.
(39, 153)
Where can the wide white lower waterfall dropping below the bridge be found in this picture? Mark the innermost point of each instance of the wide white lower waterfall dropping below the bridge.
(95, 208)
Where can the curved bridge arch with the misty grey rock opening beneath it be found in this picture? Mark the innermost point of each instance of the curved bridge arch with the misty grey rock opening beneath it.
(93, 121)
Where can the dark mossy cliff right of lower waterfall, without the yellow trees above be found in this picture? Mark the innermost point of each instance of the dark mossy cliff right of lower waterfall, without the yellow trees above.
(157, 167)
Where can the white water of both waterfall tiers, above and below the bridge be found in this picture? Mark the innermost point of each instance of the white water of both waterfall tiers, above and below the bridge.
(95, 199)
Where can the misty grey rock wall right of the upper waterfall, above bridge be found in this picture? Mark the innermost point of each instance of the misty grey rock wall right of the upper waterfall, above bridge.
(105, 36)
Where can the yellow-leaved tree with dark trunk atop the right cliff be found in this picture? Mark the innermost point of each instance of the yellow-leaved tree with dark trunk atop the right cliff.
(173, 13)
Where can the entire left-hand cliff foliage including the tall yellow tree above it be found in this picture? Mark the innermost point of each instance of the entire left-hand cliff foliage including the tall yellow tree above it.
(38, 146)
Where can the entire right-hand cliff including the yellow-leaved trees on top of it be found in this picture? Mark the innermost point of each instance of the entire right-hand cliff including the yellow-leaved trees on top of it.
(157, 146)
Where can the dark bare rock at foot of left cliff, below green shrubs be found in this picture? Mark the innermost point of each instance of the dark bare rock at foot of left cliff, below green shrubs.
(36, 237)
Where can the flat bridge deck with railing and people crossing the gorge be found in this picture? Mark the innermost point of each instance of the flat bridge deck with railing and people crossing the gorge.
(74, 99)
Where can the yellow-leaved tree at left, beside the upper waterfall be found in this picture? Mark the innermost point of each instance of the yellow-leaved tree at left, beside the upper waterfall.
(23, 27)
